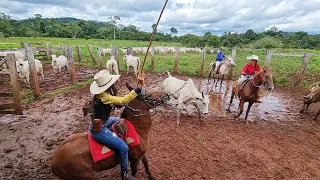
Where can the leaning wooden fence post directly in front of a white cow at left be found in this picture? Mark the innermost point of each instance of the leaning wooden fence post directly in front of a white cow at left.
(33, 72)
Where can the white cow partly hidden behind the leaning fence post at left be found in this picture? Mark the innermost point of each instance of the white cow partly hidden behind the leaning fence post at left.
(24, 71)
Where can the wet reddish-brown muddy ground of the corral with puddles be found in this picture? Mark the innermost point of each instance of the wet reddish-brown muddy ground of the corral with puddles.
(280, 143)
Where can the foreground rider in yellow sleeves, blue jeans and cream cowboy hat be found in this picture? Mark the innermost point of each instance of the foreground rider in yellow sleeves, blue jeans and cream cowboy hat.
(103, 91)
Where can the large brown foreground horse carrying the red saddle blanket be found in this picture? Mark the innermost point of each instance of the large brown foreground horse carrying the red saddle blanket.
(72, 159)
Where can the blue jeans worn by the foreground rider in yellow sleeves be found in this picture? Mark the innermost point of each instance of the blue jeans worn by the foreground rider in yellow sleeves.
(109, 139)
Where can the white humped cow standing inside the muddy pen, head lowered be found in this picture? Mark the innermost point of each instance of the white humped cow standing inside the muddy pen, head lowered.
(186, 93)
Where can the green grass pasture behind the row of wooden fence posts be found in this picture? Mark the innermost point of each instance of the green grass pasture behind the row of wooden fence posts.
(285, 69)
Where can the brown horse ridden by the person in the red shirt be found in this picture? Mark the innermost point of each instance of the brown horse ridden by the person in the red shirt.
(249, 91)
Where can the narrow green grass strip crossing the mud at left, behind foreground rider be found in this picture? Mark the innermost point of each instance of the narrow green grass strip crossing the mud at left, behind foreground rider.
(28, 94)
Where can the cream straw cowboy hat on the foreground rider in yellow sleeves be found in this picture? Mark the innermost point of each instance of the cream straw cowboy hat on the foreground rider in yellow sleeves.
(102, 81)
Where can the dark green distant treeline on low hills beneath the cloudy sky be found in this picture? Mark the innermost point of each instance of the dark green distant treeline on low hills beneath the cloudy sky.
(76, 28)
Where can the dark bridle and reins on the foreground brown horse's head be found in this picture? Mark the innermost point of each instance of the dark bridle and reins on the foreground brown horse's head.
(150, 102)
